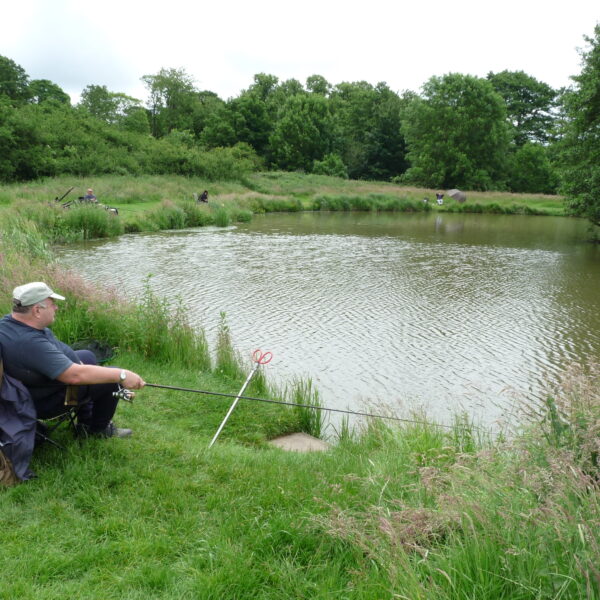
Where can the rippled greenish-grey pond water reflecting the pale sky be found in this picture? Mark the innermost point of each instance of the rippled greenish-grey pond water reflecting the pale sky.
(446, 312)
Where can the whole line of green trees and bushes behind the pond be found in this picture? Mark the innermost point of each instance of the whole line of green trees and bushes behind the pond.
(507, 131)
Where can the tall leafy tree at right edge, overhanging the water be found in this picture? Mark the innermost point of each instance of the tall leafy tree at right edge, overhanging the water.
(581, 144)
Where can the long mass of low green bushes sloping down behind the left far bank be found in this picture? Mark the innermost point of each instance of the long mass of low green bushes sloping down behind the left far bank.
(47, 140)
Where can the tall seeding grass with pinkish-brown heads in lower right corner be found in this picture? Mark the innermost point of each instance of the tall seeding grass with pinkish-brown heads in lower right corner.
(457, 523)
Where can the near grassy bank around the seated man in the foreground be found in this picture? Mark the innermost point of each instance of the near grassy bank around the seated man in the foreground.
(415, 511)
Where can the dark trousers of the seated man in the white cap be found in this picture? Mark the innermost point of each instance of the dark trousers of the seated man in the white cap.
(97, 403)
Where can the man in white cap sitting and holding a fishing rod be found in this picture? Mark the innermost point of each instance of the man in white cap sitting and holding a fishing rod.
(46, 366)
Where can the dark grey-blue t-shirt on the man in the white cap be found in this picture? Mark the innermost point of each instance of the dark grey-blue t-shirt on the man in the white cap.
(34, 356)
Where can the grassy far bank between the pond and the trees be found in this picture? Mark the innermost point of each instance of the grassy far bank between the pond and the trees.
(153, 203)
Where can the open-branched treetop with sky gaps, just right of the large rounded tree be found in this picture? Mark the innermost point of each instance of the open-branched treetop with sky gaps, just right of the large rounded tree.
(529, 105)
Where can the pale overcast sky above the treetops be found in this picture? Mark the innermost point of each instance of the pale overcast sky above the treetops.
(222, 44)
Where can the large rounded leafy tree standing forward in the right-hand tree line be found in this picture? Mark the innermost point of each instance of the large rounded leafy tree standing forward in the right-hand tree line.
(457, 134)
